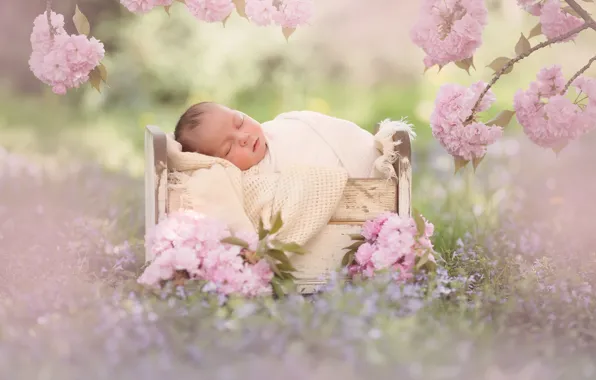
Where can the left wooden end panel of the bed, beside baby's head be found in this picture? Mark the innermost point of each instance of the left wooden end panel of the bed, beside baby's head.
(156, 175)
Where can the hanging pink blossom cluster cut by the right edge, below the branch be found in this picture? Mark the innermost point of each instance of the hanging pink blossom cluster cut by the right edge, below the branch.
(549, 118)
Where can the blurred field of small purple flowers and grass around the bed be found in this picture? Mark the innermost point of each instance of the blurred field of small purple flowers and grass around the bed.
(512, 298)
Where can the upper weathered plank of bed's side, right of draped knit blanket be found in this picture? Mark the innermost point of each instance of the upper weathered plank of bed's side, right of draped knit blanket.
(364, 199)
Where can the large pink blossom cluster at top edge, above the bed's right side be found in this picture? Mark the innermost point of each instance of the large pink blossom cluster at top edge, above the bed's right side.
(449, 30)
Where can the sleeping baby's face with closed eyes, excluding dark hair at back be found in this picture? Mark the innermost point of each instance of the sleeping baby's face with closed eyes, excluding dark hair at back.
(231, 135)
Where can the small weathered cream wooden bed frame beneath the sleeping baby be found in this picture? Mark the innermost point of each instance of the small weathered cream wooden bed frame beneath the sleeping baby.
(363, 199)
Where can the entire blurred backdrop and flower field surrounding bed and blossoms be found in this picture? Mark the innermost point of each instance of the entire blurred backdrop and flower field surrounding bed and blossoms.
(514, 240)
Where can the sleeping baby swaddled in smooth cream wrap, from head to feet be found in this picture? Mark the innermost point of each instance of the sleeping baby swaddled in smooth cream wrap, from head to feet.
(292, 138)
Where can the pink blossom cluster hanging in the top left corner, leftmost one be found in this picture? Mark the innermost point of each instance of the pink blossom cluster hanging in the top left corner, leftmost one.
(60, 60)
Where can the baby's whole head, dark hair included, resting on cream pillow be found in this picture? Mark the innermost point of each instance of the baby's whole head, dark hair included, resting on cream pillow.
(216, 130)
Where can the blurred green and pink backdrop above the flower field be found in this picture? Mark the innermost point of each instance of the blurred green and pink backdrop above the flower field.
(355, 61)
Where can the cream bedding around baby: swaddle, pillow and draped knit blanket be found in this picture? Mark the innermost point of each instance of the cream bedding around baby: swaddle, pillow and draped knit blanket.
(310, 158)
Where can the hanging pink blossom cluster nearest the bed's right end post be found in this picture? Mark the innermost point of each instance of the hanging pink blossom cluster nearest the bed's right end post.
(453, 106)
